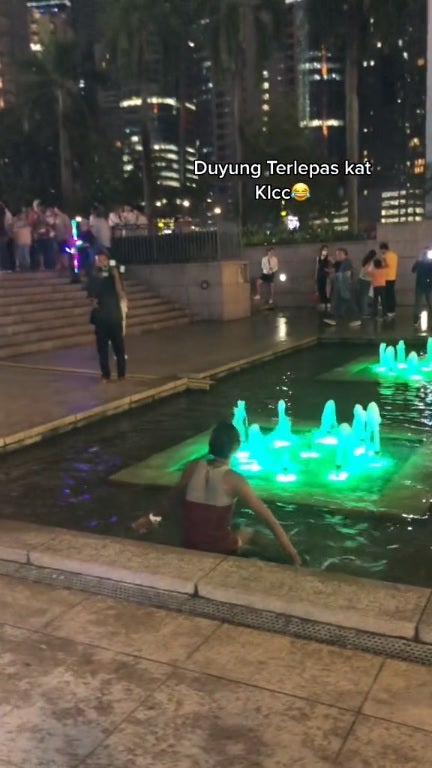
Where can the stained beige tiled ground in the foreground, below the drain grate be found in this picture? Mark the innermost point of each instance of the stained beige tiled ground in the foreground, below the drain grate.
(90, 682)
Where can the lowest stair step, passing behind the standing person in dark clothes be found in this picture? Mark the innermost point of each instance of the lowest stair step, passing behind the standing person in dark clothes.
(86, 337)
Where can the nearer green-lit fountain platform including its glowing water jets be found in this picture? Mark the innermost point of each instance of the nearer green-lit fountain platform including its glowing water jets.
(337, 466)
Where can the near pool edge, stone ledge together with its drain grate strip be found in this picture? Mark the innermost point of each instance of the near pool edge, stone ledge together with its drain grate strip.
(222, 588)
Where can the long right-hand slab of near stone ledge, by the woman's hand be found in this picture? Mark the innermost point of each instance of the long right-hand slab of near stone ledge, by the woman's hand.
(354, 603)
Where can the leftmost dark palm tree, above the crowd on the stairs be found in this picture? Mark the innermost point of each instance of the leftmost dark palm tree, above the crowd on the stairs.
(50, 86)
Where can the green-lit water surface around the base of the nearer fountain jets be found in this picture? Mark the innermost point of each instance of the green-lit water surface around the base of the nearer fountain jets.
(394, 482)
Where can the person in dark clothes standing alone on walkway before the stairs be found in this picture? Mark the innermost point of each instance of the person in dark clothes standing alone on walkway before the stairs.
(105, 288)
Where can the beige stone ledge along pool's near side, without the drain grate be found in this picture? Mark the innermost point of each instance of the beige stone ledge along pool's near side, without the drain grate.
(391, 610)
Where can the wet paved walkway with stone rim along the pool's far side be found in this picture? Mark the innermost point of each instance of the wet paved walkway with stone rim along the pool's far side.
(58, 390)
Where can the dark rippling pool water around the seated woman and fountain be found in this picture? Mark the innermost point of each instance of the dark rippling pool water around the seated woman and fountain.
(67, 478)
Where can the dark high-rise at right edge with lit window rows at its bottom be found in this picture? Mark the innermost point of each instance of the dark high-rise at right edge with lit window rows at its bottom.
(393, 123)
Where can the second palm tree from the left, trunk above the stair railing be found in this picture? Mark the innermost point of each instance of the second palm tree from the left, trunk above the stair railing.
(132, 31)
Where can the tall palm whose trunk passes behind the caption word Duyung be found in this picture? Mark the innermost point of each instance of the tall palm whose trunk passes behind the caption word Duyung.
(234, 29)
